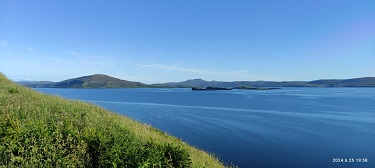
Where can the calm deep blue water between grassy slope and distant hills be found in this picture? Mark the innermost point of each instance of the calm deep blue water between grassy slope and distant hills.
(291, 127)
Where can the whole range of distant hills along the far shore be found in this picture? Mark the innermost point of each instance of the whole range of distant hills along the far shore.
(105, 81)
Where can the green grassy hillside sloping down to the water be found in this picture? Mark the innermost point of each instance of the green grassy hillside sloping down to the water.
(38, 130)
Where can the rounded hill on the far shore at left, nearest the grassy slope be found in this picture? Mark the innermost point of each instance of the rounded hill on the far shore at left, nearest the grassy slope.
(92, 81)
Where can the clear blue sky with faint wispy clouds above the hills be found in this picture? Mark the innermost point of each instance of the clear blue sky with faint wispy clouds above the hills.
(156, 41)
